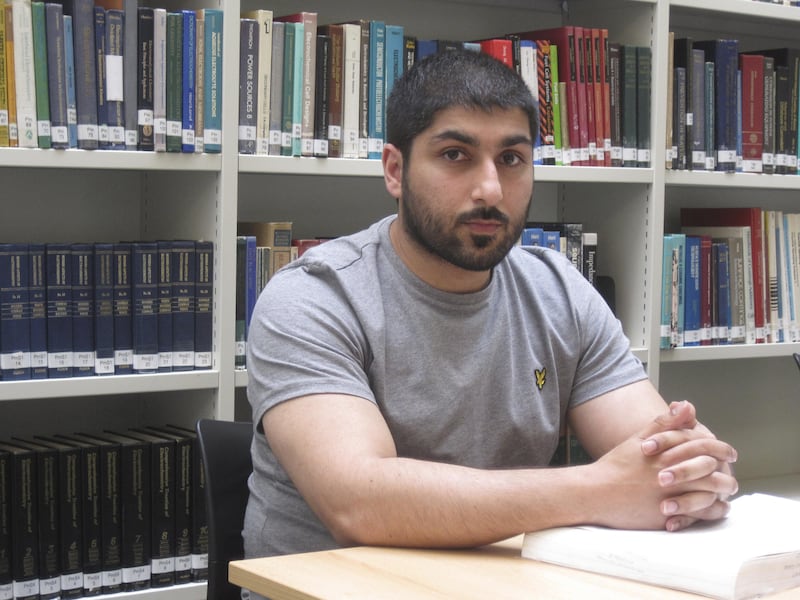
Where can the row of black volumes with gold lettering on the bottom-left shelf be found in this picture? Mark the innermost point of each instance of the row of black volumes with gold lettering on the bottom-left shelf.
(102, 512)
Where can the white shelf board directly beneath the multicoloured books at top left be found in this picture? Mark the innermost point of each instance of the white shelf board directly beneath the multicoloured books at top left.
(108, 160)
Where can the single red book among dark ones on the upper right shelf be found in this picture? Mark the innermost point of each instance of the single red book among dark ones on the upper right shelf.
(752, 68)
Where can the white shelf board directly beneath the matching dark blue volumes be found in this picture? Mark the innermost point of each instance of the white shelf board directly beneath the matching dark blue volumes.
(110, 385)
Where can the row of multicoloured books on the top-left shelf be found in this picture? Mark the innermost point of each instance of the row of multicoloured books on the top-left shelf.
(110, 75)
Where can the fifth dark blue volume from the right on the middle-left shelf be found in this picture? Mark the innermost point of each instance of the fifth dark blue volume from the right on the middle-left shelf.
(123, 309)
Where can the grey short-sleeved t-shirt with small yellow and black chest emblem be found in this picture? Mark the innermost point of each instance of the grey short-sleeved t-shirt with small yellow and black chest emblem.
(481, 379)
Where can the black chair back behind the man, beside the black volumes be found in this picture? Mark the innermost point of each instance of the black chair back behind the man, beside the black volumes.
(225, 448)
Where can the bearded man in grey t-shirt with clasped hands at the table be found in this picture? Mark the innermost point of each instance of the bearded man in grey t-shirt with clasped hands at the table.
(411, 379)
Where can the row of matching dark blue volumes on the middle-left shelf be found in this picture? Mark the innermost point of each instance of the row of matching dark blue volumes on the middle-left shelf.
(97, 308)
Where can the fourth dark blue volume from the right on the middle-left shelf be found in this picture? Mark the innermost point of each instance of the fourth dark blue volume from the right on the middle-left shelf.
(144, 290)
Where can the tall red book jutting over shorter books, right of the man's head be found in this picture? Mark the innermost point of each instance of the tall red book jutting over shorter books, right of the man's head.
(566, 39)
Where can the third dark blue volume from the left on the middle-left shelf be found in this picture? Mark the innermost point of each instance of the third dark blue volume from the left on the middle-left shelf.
(58, 260)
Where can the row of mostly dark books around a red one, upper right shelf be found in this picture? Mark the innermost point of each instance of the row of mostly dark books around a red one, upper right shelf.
(733, 111)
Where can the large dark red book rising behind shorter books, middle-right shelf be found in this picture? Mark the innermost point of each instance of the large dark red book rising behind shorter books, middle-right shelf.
(739, 217)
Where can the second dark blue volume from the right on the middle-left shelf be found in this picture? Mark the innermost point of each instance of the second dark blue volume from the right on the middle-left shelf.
(183, 297)
